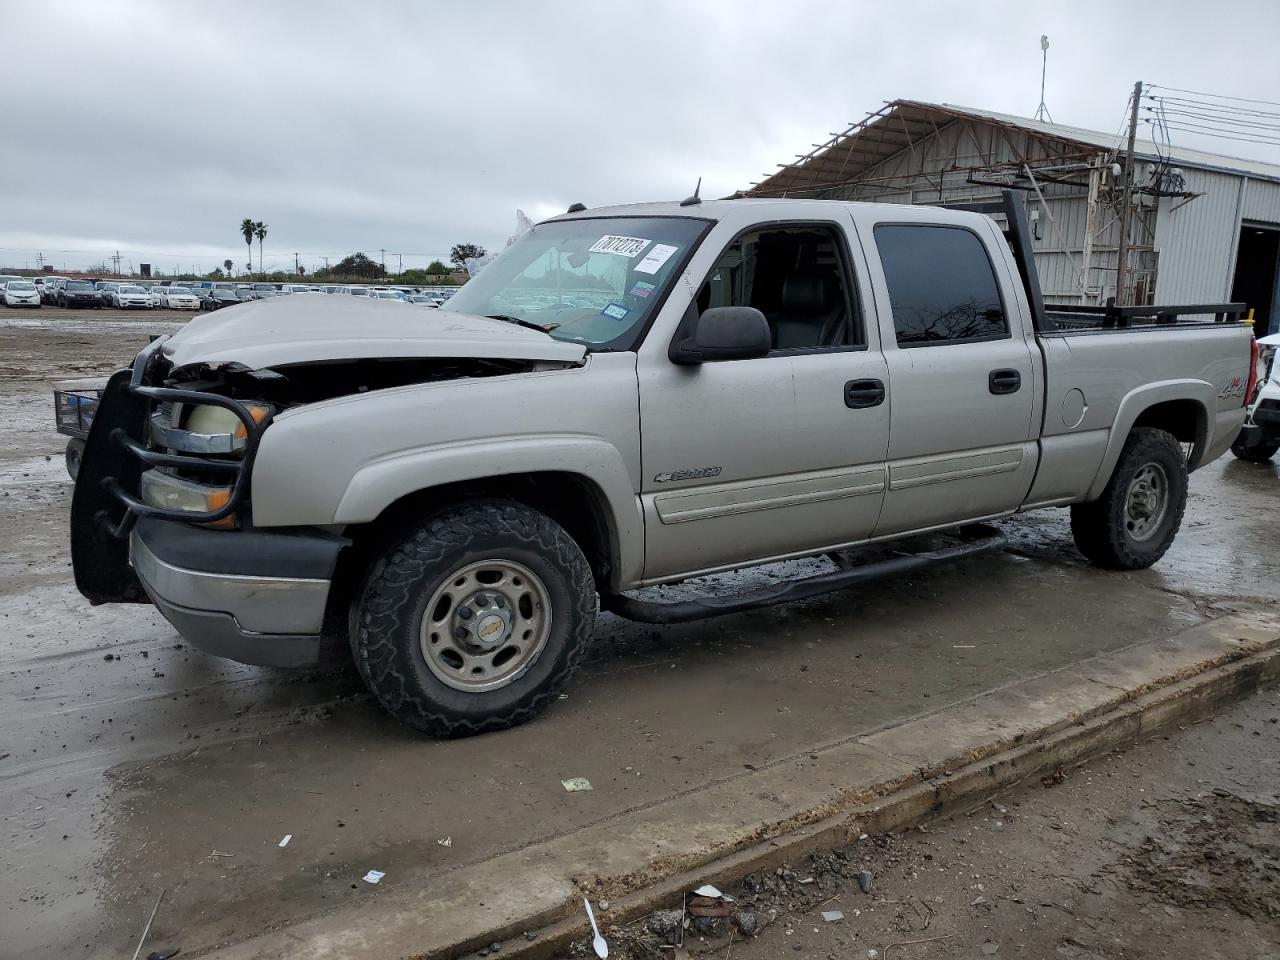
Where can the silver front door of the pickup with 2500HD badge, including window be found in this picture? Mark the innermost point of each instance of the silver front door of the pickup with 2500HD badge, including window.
(785, 455)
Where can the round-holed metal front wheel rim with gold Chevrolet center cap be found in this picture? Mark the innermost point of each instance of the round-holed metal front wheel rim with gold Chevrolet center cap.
(486, 625)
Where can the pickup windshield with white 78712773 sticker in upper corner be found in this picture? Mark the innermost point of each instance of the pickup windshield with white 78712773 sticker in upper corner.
(592, 281)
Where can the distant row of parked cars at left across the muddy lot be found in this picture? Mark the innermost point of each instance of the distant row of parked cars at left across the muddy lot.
(65, 292)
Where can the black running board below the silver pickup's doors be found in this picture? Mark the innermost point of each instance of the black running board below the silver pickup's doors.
(979, 540)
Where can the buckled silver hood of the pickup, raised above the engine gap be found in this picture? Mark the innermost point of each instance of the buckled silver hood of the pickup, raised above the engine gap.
(316, 327)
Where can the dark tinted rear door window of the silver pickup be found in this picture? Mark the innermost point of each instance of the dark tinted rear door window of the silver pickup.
(941, 286)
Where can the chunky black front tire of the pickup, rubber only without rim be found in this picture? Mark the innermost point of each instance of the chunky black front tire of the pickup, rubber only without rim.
(388, 638)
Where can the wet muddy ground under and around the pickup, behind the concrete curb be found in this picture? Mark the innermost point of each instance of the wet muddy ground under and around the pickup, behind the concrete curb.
(131, 765)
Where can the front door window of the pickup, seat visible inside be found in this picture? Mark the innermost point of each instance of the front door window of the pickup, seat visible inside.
(796, 276)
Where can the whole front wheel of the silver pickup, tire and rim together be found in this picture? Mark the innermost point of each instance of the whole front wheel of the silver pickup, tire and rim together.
(476, 621)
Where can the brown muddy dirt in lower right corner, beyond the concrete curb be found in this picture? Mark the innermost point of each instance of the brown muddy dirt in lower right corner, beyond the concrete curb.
(1169, 849)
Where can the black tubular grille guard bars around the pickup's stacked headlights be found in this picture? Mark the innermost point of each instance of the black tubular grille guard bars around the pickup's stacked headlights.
(132, 437)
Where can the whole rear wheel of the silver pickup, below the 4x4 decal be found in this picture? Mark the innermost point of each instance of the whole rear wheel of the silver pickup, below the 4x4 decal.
(1135, 522)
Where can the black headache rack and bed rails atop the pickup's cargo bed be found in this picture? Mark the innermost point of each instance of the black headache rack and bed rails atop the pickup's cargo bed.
(1084, 317)
